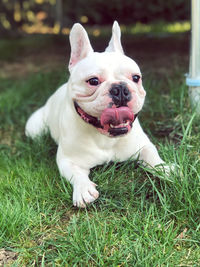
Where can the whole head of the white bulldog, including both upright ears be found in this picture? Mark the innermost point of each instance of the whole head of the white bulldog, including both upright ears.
(106, 88)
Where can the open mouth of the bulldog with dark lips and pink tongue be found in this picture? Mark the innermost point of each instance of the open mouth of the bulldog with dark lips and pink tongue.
(112, 122)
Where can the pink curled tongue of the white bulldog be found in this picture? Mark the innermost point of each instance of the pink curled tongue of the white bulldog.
(116, 116)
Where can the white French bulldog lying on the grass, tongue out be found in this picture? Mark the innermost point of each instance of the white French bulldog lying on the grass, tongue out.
(93, 117)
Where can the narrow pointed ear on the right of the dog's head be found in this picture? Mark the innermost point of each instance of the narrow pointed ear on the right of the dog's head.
(115, 41)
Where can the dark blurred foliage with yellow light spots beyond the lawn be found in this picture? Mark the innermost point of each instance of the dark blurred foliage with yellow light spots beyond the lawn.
(57, 16)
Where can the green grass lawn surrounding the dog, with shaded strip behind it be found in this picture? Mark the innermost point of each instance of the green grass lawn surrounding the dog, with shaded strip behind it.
(141, 218)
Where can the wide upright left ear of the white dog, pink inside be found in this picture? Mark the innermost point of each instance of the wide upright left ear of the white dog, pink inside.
(80, 44)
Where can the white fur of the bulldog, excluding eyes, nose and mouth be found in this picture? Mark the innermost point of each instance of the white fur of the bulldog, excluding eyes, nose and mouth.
(80, 145)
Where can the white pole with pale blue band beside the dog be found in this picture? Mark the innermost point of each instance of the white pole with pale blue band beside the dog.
(193, 79)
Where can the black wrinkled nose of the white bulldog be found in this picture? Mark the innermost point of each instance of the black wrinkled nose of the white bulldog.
(120, 94)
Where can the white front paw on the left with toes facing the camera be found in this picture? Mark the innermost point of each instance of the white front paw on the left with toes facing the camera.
(84, 193)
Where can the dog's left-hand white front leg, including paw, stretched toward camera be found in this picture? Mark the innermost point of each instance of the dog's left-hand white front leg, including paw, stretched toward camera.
(84, 190)
